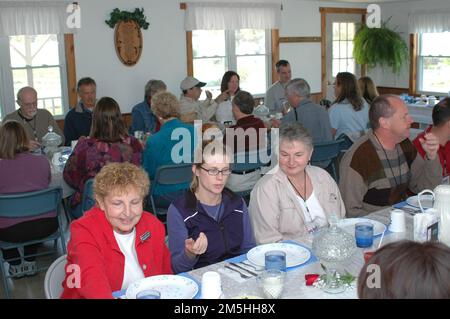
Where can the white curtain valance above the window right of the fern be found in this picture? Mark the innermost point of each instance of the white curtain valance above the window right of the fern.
(429, 21)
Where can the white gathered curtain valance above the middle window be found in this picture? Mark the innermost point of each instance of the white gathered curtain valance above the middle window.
(232, 16)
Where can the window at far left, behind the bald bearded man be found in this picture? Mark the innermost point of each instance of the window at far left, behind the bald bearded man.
(37, 61)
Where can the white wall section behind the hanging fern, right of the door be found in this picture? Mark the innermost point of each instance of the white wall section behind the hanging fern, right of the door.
(399, 20)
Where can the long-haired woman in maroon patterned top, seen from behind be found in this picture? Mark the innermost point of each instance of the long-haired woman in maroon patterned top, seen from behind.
(108, 142)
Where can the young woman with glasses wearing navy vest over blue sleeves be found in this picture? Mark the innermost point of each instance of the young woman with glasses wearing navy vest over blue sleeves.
(209, 223)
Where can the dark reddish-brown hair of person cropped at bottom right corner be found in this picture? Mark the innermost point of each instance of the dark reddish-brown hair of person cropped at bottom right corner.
(407, 270)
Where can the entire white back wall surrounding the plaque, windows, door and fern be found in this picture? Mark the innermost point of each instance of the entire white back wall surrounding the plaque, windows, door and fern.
(164, 50)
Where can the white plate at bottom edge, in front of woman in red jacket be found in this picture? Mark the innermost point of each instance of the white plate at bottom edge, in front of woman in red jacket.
(170, 287)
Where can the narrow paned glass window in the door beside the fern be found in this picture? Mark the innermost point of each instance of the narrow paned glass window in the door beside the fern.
(342, 48)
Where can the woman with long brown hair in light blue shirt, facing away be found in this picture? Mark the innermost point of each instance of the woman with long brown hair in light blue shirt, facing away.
(349, 114)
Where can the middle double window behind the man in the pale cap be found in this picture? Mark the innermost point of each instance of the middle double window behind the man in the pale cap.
(246, 51)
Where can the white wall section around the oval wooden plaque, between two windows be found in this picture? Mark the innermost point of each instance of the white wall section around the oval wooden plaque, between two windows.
(163, 56)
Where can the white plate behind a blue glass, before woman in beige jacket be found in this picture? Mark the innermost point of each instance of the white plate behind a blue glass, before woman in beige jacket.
(295, 254)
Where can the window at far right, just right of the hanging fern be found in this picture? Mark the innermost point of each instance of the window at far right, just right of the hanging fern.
(434, 63)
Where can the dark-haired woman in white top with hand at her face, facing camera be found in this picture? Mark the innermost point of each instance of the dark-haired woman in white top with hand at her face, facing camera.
(229, 85)
